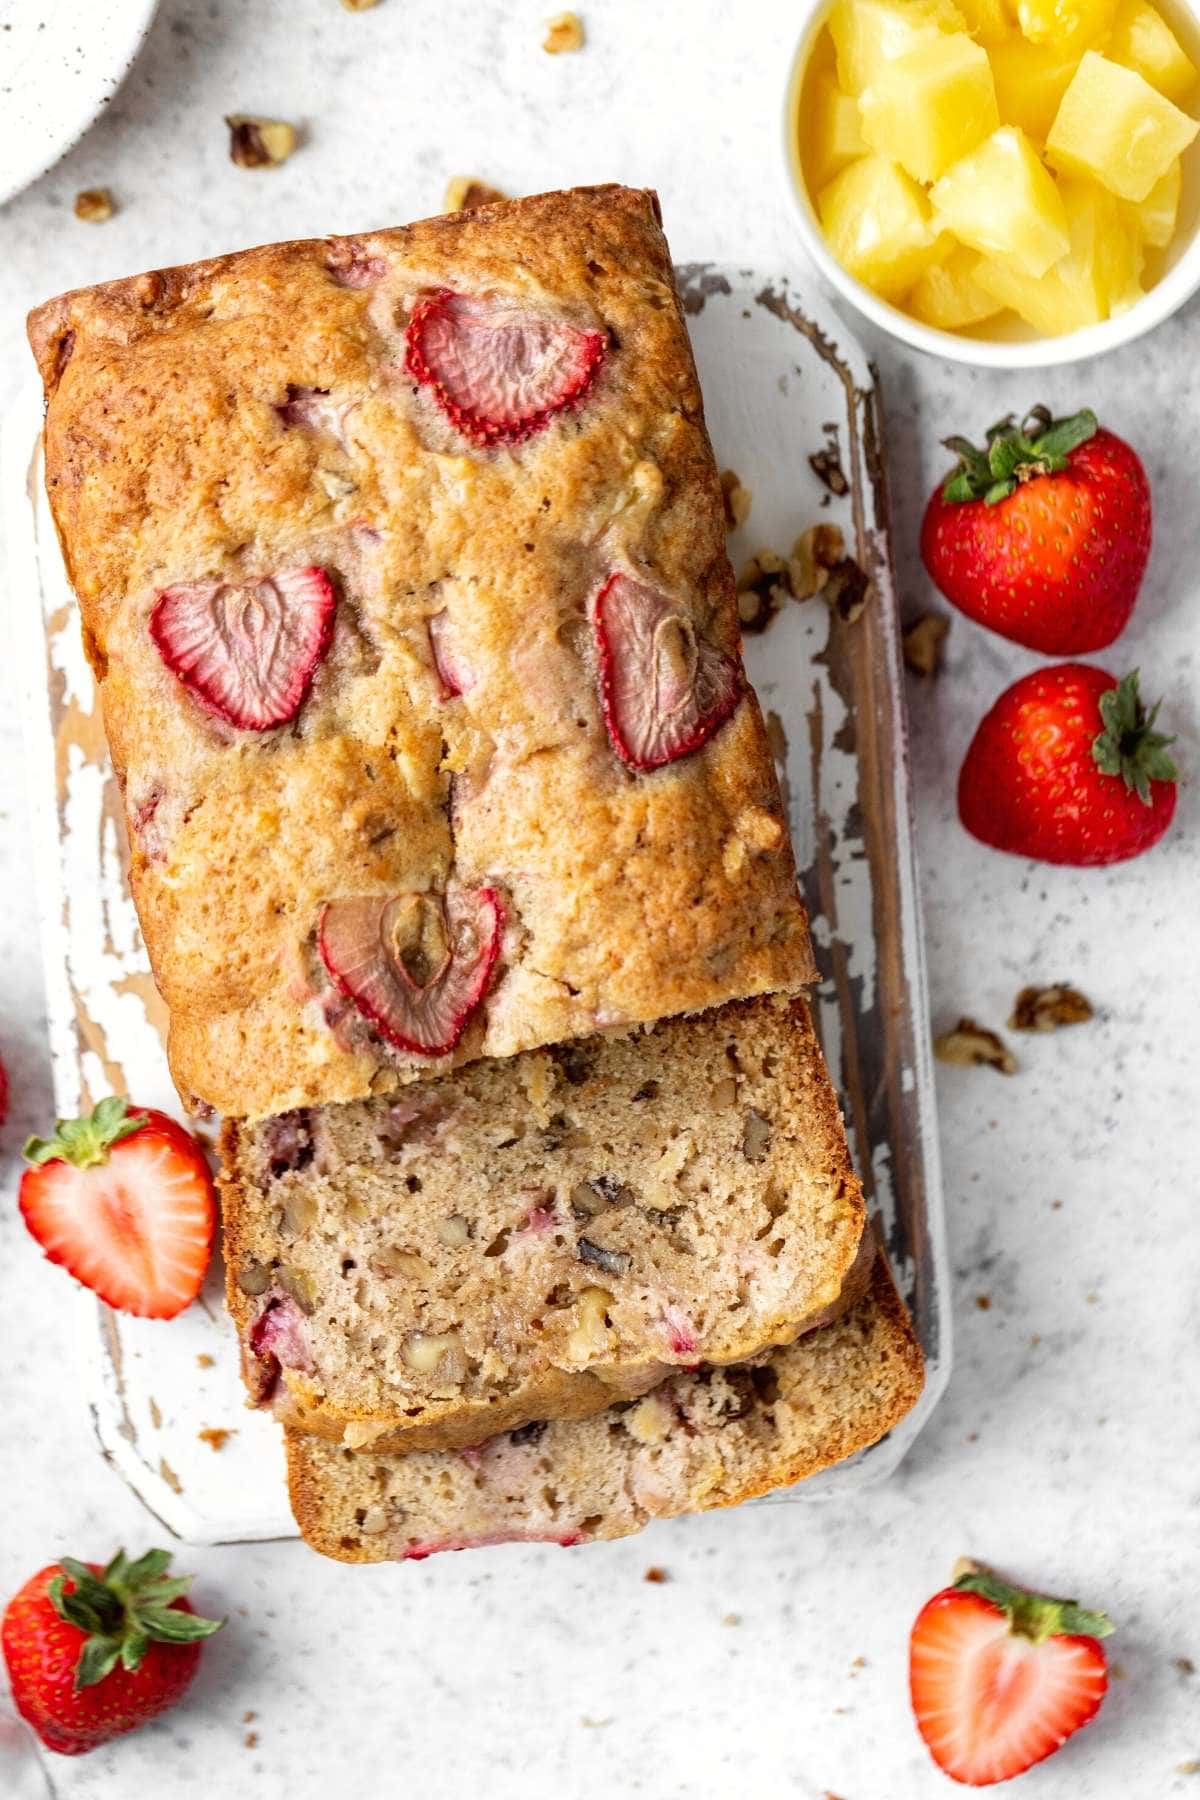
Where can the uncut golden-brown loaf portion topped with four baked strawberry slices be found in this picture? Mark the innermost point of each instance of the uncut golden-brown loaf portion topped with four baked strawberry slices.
(402, 571)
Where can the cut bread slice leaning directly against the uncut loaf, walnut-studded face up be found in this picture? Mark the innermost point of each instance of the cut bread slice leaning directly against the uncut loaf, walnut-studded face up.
(533, 1239)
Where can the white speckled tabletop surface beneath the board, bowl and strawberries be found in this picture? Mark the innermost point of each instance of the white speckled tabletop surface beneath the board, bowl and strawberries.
(1068, 1448)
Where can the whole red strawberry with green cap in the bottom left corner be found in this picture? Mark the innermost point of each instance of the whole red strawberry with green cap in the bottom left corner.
(98, 1651)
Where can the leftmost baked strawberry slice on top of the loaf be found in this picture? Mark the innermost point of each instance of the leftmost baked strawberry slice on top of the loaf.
(247, 651)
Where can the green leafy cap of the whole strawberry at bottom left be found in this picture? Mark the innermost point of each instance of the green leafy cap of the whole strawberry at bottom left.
(123, 1612)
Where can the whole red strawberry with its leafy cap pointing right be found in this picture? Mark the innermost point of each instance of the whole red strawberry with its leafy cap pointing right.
(1068, 768)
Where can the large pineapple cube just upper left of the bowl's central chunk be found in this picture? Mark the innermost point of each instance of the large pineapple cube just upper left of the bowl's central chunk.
(929, 107)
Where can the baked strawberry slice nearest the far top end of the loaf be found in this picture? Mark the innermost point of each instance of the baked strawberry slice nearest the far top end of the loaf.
(499, 373)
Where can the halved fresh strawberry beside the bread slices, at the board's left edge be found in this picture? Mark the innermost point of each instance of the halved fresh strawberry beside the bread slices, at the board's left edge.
(125, 1203)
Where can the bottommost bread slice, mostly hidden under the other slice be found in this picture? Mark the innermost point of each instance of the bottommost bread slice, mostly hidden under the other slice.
(701, 1441)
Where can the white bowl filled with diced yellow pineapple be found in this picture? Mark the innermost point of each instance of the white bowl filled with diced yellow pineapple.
(1008, 183)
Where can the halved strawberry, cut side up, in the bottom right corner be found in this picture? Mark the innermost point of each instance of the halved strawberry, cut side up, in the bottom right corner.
(1001, 1678)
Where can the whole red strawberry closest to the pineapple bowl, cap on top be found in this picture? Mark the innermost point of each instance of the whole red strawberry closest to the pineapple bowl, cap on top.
(1044, 535)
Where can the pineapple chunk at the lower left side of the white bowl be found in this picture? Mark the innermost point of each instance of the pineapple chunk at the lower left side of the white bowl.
(879, 228)
